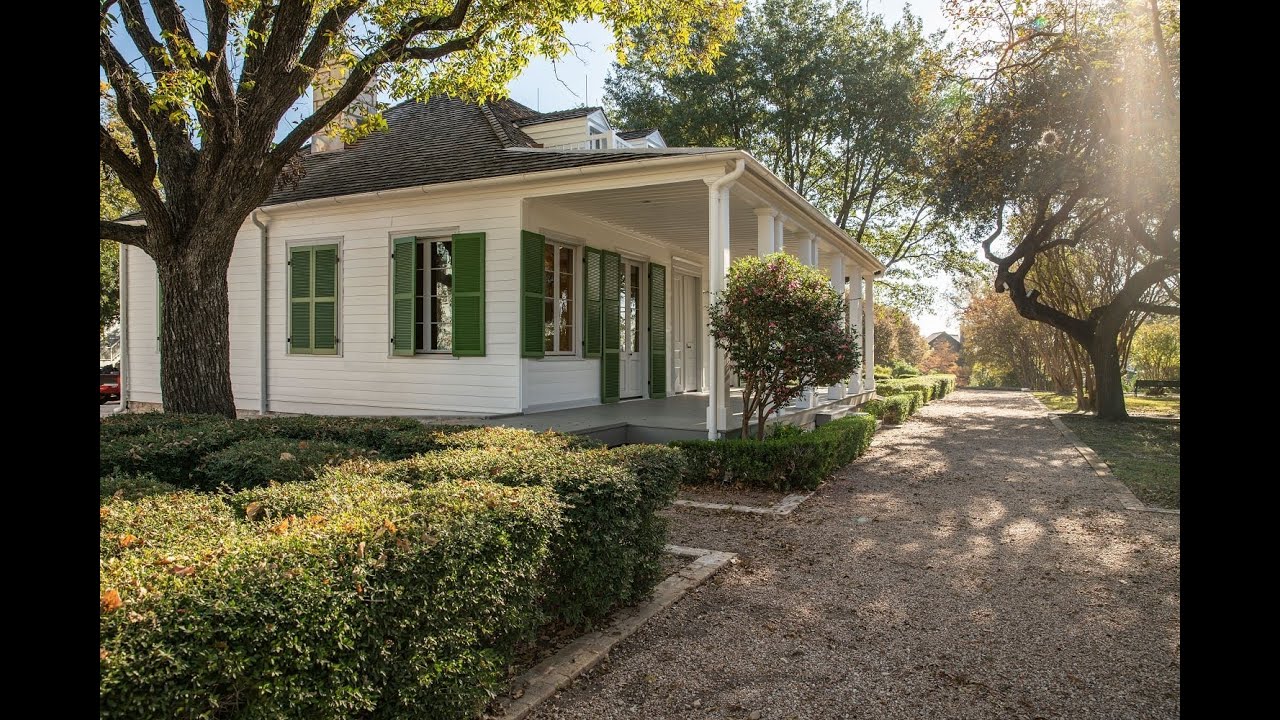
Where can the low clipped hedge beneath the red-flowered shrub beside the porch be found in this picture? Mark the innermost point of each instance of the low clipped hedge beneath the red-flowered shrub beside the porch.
(785, 462)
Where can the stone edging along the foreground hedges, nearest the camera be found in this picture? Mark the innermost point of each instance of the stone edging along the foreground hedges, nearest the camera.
(579, 657)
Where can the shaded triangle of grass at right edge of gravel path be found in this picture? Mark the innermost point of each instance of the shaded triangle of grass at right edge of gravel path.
(1144, 454)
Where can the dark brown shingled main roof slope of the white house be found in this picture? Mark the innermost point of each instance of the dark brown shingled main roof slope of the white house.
(438, 142)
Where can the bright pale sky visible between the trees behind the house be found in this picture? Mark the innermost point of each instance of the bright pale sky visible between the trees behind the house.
(575, 81)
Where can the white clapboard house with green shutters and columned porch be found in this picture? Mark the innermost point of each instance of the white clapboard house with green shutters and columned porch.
(490, 261)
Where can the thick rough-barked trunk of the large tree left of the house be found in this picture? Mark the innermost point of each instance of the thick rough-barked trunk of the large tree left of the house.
(195, 326)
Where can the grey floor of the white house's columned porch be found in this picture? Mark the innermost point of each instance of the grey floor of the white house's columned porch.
(682, 417)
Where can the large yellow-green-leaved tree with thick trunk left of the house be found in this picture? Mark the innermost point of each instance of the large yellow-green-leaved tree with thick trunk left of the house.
(203, 117)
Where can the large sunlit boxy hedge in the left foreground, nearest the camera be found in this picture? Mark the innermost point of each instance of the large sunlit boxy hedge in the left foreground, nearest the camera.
(382, 601)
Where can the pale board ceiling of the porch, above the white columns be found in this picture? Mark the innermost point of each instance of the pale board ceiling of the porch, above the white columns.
(674, 215)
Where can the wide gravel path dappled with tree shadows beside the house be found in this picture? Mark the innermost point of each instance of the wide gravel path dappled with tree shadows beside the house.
(971, 566)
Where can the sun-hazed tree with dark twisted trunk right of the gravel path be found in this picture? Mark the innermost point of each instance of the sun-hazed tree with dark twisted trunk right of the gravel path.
(1072, 140)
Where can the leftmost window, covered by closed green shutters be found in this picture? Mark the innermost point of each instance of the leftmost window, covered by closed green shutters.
(314, 300)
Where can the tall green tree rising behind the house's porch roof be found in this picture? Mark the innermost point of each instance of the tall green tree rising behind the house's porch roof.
(836, 103)
